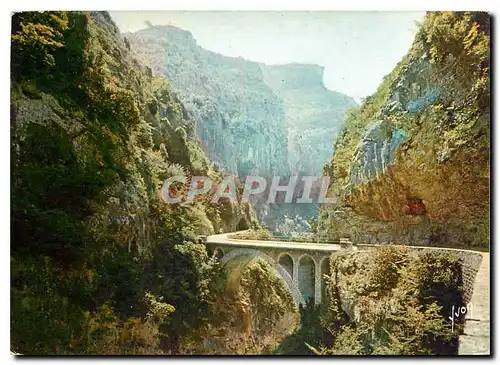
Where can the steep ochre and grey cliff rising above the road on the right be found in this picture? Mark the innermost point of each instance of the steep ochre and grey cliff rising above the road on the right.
(412, 164)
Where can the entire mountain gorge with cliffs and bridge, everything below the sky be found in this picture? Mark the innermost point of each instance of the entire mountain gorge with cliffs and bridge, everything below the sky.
(101, 265)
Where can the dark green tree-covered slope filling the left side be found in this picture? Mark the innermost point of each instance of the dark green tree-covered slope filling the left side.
(99, 263)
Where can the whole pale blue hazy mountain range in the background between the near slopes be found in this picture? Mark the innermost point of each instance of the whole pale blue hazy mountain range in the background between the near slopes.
(251, 117)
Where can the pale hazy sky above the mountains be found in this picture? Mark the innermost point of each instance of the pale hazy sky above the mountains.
(357, 49)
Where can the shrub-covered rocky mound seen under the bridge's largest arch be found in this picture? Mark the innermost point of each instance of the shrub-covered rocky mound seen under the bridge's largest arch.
(253, 310)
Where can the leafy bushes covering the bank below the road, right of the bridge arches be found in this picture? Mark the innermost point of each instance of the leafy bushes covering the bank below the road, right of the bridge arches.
(390, 301)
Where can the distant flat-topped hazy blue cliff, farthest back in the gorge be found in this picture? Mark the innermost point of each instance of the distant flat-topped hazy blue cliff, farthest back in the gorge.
(314, 114)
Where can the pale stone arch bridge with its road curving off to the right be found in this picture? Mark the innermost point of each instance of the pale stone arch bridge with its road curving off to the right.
(302, 266)
